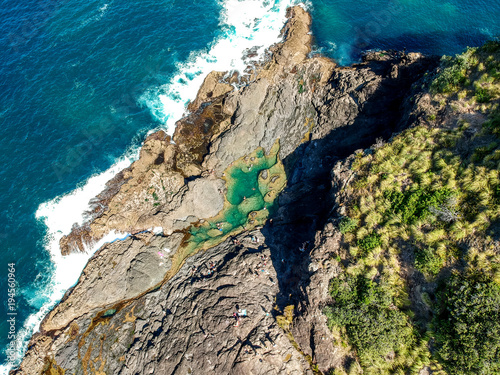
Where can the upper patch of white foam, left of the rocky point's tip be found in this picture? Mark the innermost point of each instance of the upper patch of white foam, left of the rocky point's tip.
(248, 25)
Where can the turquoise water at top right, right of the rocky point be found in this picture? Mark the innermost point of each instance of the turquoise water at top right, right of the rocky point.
(343, 28)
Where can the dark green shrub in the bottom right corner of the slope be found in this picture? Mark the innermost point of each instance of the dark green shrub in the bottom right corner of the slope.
(468, 325)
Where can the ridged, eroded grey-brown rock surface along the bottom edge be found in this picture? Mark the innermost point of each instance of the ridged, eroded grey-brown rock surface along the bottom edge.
(185, 326)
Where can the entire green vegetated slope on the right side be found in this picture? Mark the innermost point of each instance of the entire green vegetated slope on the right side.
(419, 285)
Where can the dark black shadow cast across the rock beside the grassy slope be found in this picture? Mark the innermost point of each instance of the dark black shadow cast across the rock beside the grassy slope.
(306, 202)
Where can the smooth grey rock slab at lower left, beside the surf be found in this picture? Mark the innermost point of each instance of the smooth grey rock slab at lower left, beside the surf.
(119, 271)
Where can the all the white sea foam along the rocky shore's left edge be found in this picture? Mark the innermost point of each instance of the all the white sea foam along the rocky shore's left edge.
(246, 24)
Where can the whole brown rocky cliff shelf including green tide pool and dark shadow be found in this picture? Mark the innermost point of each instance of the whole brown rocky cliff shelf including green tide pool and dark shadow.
(243, 196)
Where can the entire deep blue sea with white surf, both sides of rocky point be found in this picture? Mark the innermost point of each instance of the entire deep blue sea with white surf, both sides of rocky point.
(82, 83)
